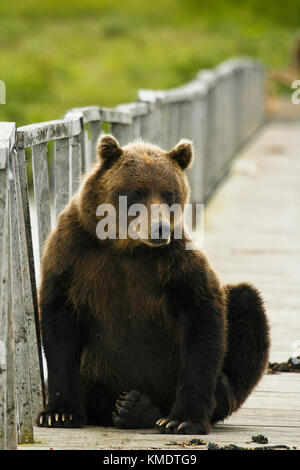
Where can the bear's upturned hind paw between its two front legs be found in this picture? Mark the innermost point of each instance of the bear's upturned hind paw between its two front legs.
(135, 411)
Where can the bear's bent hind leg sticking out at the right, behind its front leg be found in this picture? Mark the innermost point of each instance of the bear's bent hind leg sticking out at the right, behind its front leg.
(247, 349)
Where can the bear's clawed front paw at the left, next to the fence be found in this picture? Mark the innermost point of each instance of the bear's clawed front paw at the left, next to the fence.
(59, 419)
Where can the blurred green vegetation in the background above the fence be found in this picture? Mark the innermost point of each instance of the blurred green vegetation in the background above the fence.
(58, 54)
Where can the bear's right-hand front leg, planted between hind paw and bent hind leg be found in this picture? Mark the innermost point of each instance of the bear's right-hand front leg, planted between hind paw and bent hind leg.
(201, 317)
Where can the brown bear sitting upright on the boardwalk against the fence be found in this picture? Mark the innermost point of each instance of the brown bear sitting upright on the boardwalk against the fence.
(138, 331)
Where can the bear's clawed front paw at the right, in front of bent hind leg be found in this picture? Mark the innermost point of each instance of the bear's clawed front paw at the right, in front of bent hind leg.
(175, 426)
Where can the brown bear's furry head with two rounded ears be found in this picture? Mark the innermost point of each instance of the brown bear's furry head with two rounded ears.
(135, 194)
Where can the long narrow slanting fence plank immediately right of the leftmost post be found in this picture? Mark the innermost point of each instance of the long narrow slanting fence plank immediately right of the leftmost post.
(22, 368)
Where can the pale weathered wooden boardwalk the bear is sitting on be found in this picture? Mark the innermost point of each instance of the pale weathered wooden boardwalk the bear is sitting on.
(252, 233)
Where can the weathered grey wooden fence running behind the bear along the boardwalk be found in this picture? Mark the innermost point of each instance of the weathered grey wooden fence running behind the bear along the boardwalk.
(219, 110)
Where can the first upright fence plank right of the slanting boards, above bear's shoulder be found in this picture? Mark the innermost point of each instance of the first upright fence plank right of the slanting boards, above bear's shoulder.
(41, 192)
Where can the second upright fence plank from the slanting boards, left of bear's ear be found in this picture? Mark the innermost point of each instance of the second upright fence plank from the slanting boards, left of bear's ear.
(61, 174)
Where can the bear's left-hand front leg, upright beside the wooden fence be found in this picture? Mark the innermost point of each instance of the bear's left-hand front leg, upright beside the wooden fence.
(62, 335)
